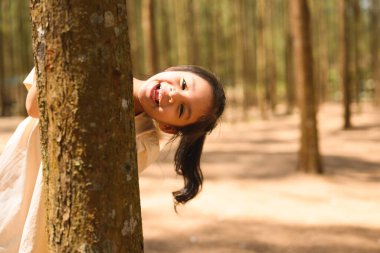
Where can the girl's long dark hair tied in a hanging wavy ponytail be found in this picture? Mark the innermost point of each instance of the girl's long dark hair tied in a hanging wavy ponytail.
(192, 137)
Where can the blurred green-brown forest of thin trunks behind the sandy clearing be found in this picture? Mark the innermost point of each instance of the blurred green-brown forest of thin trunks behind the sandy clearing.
(247, 43)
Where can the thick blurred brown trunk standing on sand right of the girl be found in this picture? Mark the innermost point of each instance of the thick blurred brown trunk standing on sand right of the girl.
(309, 159)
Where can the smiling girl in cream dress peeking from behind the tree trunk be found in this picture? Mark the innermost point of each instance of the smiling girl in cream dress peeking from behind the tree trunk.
(185, 101)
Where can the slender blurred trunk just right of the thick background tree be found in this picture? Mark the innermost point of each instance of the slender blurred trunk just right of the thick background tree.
(344, 63)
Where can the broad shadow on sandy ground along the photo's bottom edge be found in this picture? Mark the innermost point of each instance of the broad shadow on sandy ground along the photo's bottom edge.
(259, 237)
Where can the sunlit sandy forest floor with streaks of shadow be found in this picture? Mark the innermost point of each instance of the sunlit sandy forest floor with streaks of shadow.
(254, 201)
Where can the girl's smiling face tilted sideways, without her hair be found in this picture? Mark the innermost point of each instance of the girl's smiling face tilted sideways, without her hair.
(175, 98)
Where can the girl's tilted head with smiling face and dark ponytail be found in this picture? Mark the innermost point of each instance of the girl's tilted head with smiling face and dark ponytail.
(186, 101)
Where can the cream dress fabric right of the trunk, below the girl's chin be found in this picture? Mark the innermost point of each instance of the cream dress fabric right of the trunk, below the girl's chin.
(148, 149)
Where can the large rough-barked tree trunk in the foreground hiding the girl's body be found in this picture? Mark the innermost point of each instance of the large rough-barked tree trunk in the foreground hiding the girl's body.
(87, 125)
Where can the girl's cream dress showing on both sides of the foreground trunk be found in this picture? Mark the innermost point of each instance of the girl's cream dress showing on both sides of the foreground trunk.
(22, 211)
